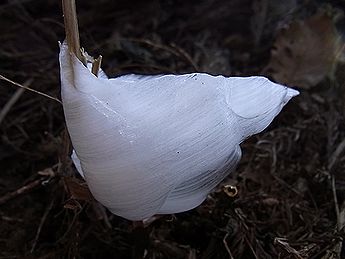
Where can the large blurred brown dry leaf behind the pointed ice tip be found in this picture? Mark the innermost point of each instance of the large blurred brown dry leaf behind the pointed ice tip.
(305, 52)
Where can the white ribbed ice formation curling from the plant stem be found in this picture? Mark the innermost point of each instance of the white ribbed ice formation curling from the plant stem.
(159, 144)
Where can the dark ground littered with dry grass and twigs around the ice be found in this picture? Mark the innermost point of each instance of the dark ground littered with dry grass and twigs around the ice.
(291, 179)
